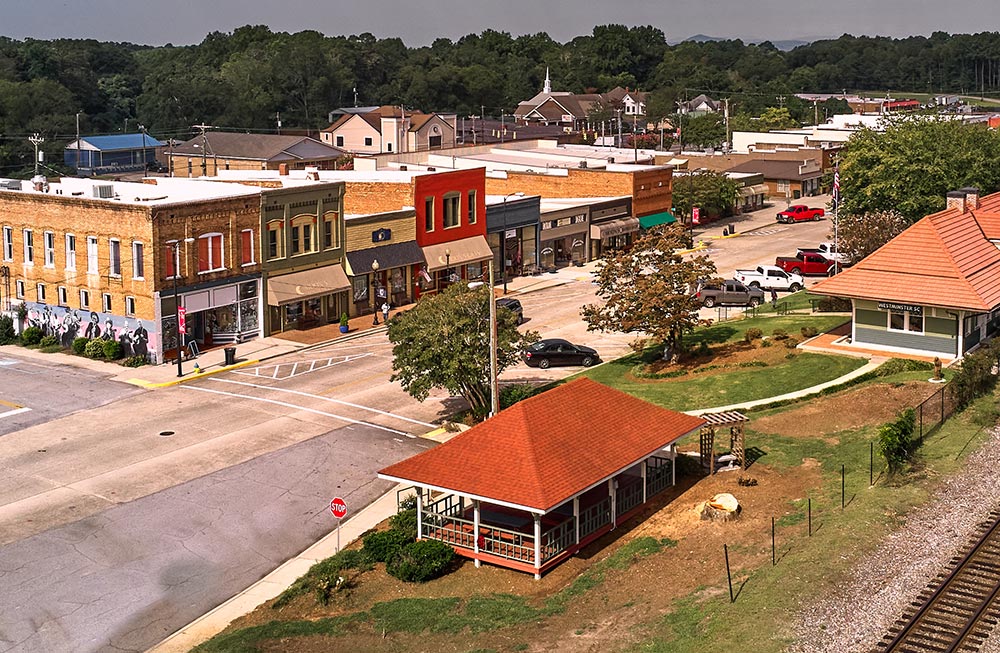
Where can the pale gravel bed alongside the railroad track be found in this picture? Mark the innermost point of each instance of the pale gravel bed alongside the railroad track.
(859, 614)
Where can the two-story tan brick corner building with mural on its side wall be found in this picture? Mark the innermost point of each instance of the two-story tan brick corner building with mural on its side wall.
(99, 259)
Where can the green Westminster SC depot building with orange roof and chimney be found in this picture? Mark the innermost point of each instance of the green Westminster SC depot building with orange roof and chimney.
(933, 290)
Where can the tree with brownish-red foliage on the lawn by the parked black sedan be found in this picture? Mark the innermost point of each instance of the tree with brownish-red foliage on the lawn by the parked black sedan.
(649, 289)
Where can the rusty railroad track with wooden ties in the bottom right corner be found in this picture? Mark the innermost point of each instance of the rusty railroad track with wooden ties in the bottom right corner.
(957, 611)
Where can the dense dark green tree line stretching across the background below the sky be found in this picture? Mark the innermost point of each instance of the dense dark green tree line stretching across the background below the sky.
(251, 77)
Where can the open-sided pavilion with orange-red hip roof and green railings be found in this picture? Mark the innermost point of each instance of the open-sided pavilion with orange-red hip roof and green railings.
(531, 486)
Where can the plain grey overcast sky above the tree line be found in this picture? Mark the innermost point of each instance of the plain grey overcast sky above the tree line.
(419, 22)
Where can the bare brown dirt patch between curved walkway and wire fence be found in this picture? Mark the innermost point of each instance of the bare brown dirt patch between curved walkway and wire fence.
(851, 409)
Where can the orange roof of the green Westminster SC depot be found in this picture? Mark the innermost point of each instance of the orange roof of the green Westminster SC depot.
(945, 259)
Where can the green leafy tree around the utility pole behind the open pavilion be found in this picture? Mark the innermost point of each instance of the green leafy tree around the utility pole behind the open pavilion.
(443, 342)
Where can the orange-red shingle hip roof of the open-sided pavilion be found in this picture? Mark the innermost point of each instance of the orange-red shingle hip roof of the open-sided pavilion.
(544, 450)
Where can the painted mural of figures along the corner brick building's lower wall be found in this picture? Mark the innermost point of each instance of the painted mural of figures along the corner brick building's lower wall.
(137, 337)
